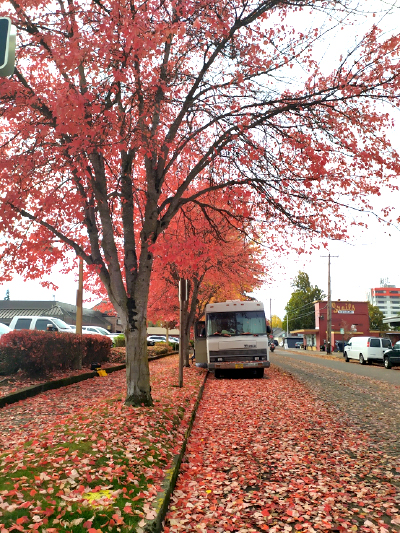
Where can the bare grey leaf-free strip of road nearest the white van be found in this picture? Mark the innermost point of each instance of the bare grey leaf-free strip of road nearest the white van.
(374, 371)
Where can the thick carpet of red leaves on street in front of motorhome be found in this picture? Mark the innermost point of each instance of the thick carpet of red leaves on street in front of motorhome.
(264, 455)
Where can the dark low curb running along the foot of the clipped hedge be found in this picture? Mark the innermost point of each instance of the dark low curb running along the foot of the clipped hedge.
(34, 390)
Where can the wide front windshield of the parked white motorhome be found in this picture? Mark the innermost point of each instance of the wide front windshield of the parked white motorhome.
(236, 323)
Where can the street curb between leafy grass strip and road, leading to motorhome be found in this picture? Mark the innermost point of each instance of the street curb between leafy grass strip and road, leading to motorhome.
(161, 503)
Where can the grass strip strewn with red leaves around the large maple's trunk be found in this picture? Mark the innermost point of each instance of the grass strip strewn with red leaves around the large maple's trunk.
(76, 459)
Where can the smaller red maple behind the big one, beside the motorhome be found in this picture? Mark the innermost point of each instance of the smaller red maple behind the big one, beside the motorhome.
(217, 258)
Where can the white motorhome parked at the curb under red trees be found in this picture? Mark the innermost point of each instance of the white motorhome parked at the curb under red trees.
(234, 335)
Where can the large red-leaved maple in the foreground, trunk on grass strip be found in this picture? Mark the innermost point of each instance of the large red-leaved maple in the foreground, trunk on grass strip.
(120, 114)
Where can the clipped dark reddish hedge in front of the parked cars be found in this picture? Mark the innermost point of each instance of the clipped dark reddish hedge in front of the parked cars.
(41, 352)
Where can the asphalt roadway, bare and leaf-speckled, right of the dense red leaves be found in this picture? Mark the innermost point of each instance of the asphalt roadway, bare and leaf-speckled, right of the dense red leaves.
(366, 396)
